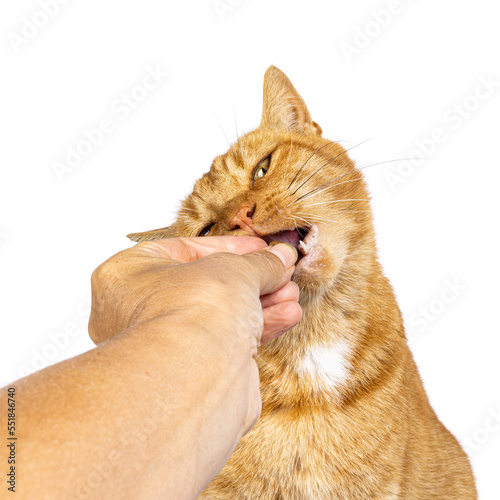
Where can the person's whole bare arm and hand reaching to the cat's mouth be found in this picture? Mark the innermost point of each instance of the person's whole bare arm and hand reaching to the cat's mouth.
(156, 409)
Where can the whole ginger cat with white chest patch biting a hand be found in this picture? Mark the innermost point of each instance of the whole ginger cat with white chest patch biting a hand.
(344, 415)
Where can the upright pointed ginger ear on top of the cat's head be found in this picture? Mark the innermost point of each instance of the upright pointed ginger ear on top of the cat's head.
(283, 107)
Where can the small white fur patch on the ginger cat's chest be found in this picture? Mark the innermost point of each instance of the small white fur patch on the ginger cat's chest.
(328, 364)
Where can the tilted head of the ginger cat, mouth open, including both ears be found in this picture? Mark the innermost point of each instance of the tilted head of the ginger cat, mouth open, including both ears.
(283, 182)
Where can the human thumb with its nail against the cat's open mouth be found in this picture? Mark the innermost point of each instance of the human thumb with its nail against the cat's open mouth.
(272, 266)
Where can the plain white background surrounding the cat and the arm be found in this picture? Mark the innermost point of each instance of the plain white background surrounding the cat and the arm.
(419, 65)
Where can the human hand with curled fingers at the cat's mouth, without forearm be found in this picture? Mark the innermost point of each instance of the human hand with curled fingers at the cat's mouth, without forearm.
(217, 277)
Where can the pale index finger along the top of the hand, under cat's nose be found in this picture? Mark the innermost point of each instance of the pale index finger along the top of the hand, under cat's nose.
(189, 249)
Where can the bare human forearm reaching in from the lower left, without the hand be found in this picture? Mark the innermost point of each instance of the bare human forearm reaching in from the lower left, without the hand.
(141, 423)
